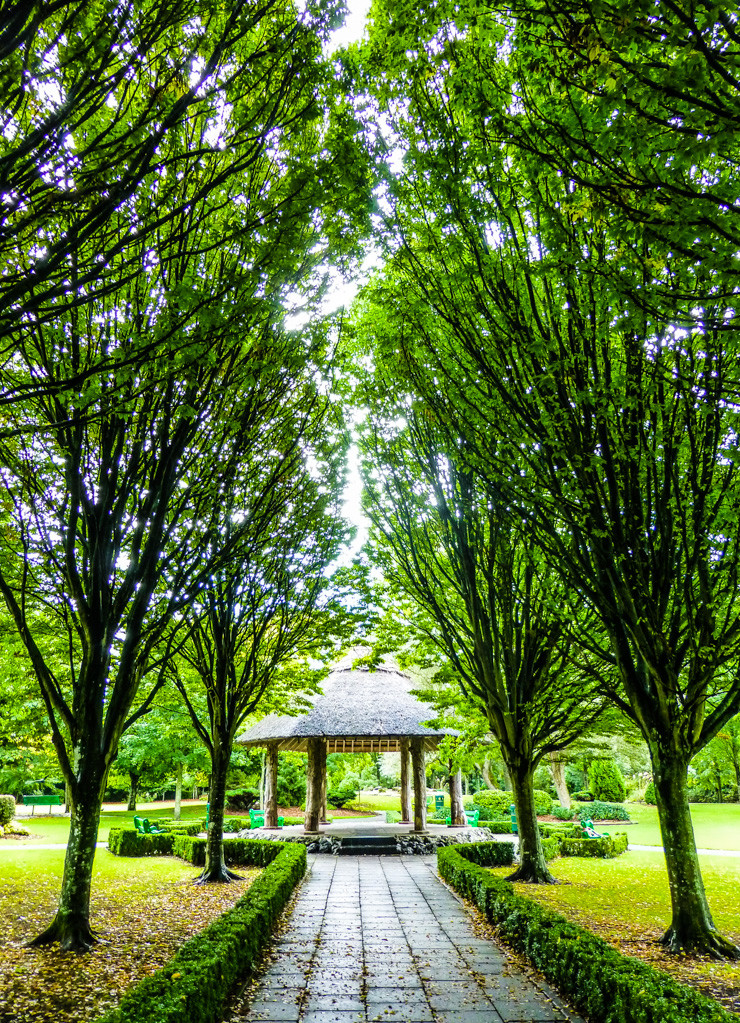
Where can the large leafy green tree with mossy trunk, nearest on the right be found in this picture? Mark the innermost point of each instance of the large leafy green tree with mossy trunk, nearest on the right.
(509, 321)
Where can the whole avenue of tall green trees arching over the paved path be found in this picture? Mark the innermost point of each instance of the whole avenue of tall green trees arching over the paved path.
(549, 358)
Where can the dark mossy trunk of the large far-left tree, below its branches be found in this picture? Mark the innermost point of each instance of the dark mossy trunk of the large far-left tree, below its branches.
(71, 926)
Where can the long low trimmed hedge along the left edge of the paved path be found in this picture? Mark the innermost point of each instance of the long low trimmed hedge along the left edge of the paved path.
(195, 986)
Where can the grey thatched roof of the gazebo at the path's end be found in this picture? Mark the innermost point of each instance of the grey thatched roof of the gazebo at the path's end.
(360, 711)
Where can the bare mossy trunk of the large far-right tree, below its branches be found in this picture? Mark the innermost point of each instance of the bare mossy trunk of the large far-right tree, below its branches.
(692, 930)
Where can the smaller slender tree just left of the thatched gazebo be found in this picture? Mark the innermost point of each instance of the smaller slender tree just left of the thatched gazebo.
(267, 605)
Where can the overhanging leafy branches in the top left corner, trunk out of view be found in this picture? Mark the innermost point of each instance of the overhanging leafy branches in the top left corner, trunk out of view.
(107, 113)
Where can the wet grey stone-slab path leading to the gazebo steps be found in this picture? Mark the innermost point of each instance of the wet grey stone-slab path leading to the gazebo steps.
(382, 939)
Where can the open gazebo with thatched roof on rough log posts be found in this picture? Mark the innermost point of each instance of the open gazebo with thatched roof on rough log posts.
(360, 711)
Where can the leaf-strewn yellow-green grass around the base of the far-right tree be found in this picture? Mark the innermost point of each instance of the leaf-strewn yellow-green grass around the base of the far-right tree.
(627, 902)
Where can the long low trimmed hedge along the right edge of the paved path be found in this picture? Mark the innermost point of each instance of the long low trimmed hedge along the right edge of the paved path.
(605, 986)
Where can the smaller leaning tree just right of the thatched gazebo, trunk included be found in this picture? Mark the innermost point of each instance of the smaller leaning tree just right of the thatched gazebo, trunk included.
(446, 539)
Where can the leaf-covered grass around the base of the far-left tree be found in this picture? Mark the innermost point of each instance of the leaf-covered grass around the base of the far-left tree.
(143, 911)
